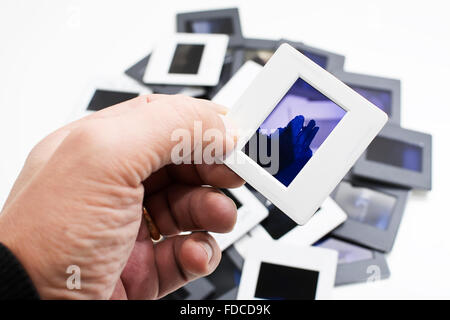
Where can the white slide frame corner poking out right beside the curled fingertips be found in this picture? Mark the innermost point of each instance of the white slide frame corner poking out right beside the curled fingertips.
(249, 215)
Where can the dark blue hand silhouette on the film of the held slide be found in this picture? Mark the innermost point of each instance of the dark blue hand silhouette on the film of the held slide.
(294, 147)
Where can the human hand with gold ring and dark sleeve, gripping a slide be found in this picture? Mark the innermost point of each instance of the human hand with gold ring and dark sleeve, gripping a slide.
(78, 201)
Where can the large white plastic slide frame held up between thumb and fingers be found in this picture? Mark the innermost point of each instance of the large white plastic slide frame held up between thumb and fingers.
(335, 156)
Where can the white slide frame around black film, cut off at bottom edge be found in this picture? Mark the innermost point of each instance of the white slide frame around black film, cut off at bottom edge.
(321, 260)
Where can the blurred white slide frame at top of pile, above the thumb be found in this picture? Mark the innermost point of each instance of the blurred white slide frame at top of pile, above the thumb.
(211, 62)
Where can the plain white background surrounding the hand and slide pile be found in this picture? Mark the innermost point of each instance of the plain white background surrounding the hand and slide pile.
(50, 49)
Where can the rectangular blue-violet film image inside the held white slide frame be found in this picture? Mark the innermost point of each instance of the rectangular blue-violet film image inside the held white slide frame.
(297, 126)
